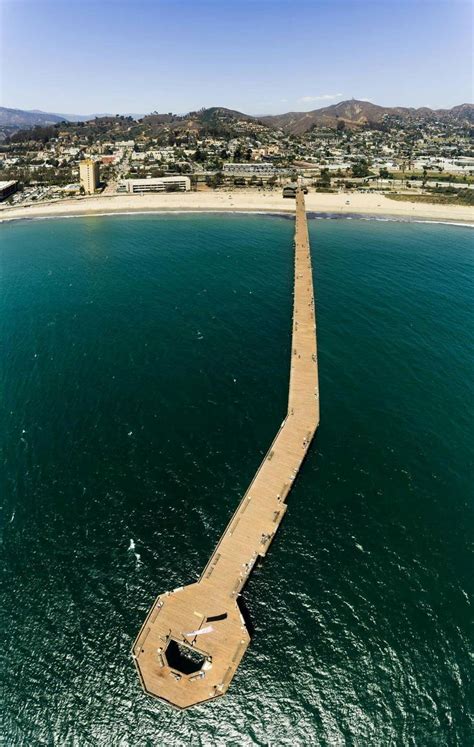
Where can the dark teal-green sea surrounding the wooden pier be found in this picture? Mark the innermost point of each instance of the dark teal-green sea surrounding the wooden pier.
(144, 373)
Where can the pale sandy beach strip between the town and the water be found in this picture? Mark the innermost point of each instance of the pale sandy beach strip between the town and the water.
(241, 200)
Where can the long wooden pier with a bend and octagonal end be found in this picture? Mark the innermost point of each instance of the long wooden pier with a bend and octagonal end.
(194, 637)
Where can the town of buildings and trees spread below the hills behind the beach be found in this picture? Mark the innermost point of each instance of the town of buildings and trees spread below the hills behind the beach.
(148, 156)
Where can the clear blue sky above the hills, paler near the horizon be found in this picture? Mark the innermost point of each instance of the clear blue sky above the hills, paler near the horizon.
(258, 56)
